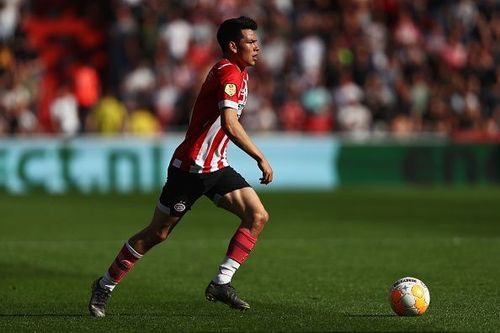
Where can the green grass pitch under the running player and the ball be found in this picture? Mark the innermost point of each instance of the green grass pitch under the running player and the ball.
(325, 262)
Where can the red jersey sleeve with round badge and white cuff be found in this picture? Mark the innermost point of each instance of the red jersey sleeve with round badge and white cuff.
(229, 87)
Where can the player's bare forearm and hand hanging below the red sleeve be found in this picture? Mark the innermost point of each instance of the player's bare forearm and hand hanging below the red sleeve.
(238, 135)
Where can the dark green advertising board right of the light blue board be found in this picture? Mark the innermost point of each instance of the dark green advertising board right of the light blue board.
(419, 163)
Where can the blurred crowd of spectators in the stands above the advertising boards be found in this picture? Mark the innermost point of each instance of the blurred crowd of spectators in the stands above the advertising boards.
(357, 67)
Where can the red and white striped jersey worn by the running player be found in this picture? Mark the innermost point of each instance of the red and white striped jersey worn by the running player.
(204, 148)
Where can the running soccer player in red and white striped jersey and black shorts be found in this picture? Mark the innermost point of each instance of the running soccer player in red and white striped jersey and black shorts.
(199, 167)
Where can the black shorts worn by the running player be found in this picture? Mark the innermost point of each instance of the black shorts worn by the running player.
(183, 188)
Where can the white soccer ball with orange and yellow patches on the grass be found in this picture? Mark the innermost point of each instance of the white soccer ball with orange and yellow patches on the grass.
(409, 297)
